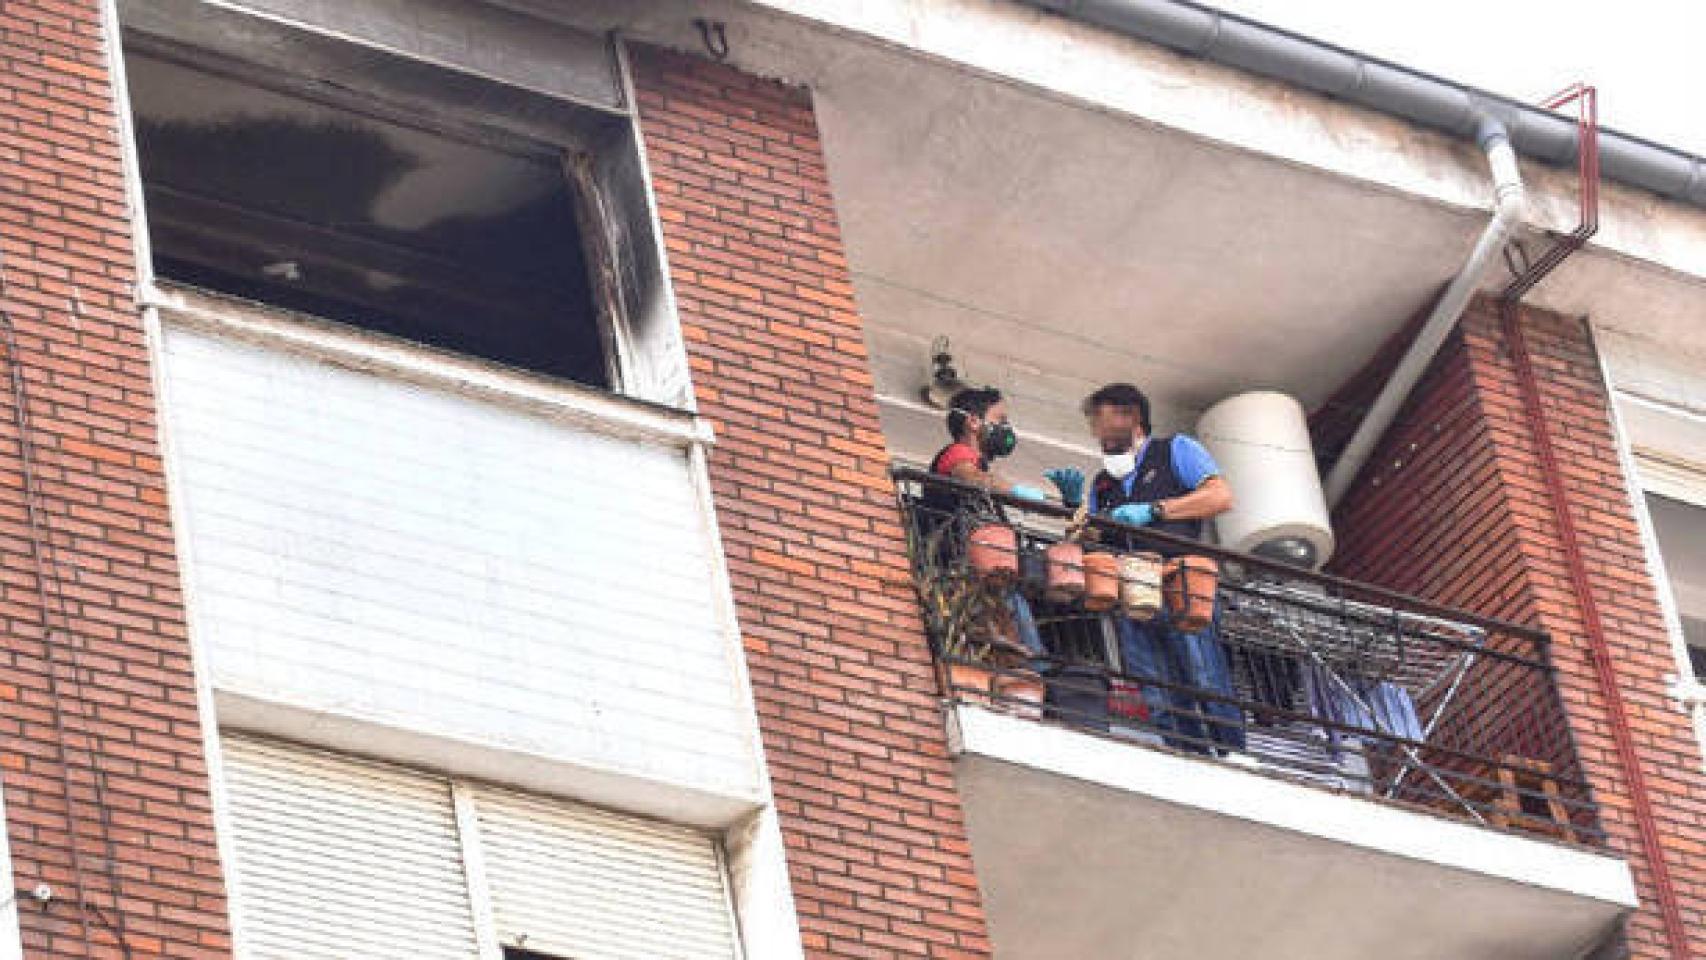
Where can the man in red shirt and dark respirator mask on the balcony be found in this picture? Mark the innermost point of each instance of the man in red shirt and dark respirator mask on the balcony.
(980, 434)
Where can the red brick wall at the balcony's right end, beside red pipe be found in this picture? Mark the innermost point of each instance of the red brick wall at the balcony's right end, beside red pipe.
(1454, 507)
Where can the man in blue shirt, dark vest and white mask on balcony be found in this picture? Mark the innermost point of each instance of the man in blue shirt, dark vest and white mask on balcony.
(1171, 485)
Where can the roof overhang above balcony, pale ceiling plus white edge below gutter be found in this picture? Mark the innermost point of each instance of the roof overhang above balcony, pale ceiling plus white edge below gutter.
(1062, 245)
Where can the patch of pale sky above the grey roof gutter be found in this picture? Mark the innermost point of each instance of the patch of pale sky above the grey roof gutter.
(1644, 55)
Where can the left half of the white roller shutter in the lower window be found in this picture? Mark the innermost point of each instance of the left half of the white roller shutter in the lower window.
(344, 860)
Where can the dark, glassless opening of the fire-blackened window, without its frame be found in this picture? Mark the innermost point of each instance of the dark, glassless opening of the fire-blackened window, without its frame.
(378, 224)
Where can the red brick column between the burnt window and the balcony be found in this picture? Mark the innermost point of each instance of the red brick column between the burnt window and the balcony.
(845, 690)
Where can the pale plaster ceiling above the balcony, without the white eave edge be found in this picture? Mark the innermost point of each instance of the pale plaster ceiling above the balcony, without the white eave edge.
(1062, 248)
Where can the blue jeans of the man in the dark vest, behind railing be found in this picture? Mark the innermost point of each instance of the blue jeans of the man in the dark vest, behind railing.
(1159, 652)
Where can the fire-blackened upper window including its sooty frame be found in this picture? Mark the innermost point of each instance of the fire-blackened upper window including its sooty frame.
(467, 176)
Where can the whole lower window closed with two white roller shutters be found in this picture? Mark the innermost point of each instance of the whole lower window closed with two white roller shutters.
(339, 857)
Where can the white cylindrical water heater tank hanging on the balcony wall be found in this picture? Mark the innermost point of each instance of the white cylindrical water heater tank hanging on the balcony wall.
(1262, 444)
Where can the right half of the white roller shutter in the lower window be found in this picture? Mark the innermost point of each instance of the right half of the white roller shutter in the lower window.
(572, 881)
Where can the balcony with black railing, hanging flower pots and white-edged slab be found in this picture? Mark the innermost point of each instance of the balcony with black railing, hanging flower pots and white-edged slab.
(1342, 772)
